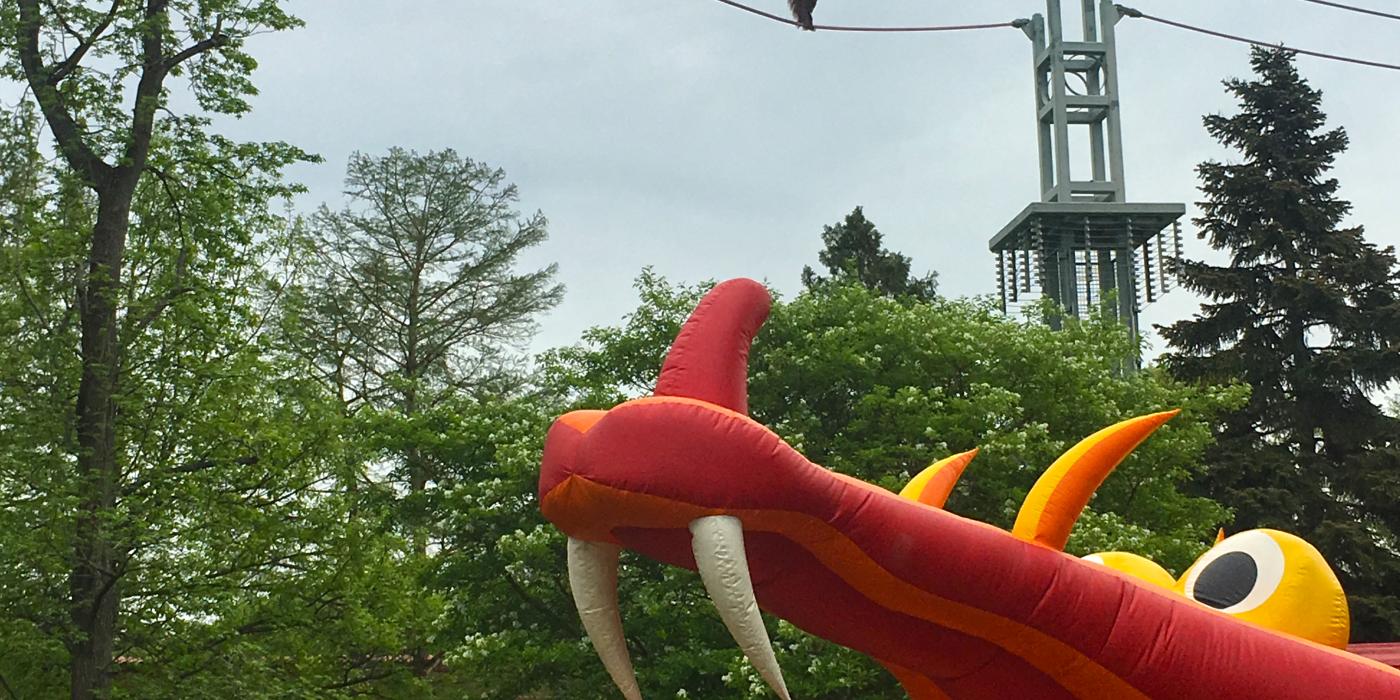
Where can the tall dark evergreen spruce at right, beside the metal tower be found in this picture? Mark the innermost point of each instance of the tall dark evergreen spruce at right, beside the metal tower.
(1308, 314)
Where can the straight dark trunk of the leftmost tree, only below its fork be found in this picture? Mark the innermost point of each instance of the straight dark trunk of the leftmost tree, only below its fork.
(97, 556)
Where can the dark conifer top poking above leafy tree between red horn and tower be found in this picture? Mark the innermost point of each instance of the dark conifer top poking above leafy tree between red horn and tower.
(855, 251)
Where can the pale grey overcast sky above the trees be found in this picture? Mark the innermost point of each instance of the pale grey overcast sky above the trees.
(710, 143)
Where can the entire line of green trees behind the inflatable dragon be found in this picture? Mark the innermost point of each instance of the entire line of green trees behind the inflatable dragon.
(248, 451)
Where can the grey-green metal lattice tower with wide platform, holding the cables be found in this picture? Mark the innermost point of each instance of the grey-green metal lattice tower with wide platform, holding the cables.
(1084, 243)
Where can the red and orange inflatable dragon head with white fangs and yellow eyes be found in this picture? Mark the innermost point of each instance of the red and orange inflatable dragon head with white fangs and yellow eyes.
(954, 608)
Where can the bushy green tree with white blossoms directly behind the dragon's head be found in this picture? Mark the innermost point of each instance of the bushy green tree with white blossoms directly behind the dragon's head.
(863, 384)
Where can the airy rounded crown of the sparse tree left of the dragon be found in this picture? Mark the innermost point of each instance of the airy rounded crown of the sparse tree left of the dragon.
(421, 293)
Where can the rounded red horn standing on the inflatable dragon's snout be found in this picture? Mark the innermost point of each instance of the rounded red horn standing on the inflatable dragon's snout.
(710, 358)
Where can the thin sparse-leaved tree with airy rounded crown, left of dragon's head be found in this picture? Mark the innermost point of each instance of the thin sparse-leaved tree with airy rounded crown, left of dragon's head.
(415, 307)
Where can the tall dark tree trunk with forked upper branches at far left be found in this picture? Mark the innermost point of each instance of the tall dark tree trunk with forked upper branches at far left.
(99, 556)
